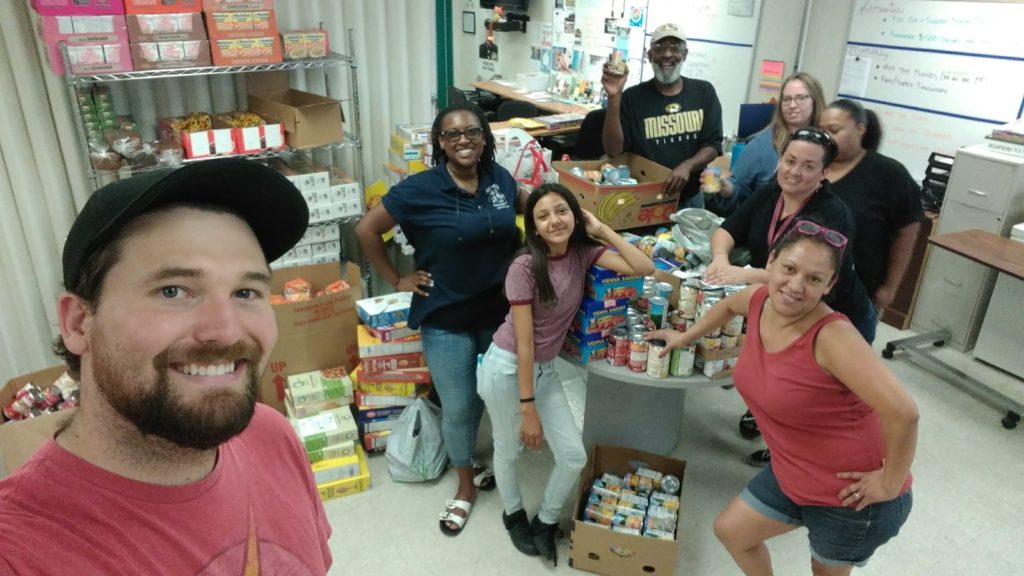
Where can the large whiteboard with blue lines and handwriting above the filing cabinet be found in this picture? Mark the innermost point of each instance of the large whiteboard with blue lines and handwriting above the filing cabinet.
(941, 75)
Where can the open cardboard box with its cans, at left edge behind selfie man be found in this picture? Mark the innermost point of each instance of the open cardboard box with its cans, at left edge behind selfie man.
(31, 407)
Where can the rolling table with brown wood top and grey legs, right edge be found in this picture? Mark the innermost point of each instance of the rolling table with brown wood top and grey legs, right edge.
(992, 251)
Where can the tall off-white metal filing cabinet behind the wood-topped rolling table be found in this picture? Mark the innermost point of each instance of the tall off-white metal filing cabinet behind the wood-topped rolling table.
(986, 192)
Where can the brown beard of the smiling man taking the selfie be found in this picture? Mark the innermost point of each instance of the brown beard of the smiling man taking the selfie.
(158, 410)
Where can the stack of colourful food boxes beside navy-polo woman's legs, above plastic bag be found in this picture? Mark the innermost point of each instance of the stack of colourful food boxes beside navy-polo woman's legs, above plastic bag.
(393, 369)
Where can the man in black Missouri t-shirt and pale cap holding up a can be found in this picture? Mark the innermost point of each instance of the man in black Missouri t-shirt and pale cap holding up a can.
(672, 120)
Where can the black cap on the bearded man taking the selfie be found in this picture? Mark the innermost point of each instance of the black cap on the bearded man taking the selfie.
(271, 204)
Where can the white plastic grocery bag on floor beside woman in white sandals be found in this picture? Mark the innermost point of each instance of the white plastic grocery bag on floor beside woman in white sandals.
(415, 449)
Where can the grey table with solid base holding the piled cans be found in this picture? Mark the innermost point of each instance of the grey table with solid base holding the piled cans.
(630, 409)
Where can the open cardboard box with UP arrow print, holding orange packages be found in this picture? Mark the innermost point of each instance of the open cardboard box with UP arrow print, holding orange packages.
(313, 335)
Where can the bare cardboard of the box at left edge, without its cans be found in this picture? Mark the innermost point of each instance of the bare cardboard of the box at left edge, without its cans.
(20, 440)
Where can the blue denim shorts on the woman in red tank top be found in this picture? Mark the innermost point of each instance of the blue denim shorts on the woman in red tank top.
(838, 536)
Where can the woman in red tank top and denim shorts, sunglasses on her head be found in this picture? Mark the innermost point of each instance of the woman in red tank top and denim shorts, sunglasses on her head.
(841, 429)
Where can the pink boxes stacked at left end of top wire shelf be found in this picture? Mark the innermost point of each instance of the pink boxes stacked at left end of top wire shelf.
(95, 32)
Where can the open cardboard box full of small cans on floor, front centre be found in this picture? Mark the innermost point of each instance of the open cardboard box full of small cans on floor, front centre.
(627, 513)
